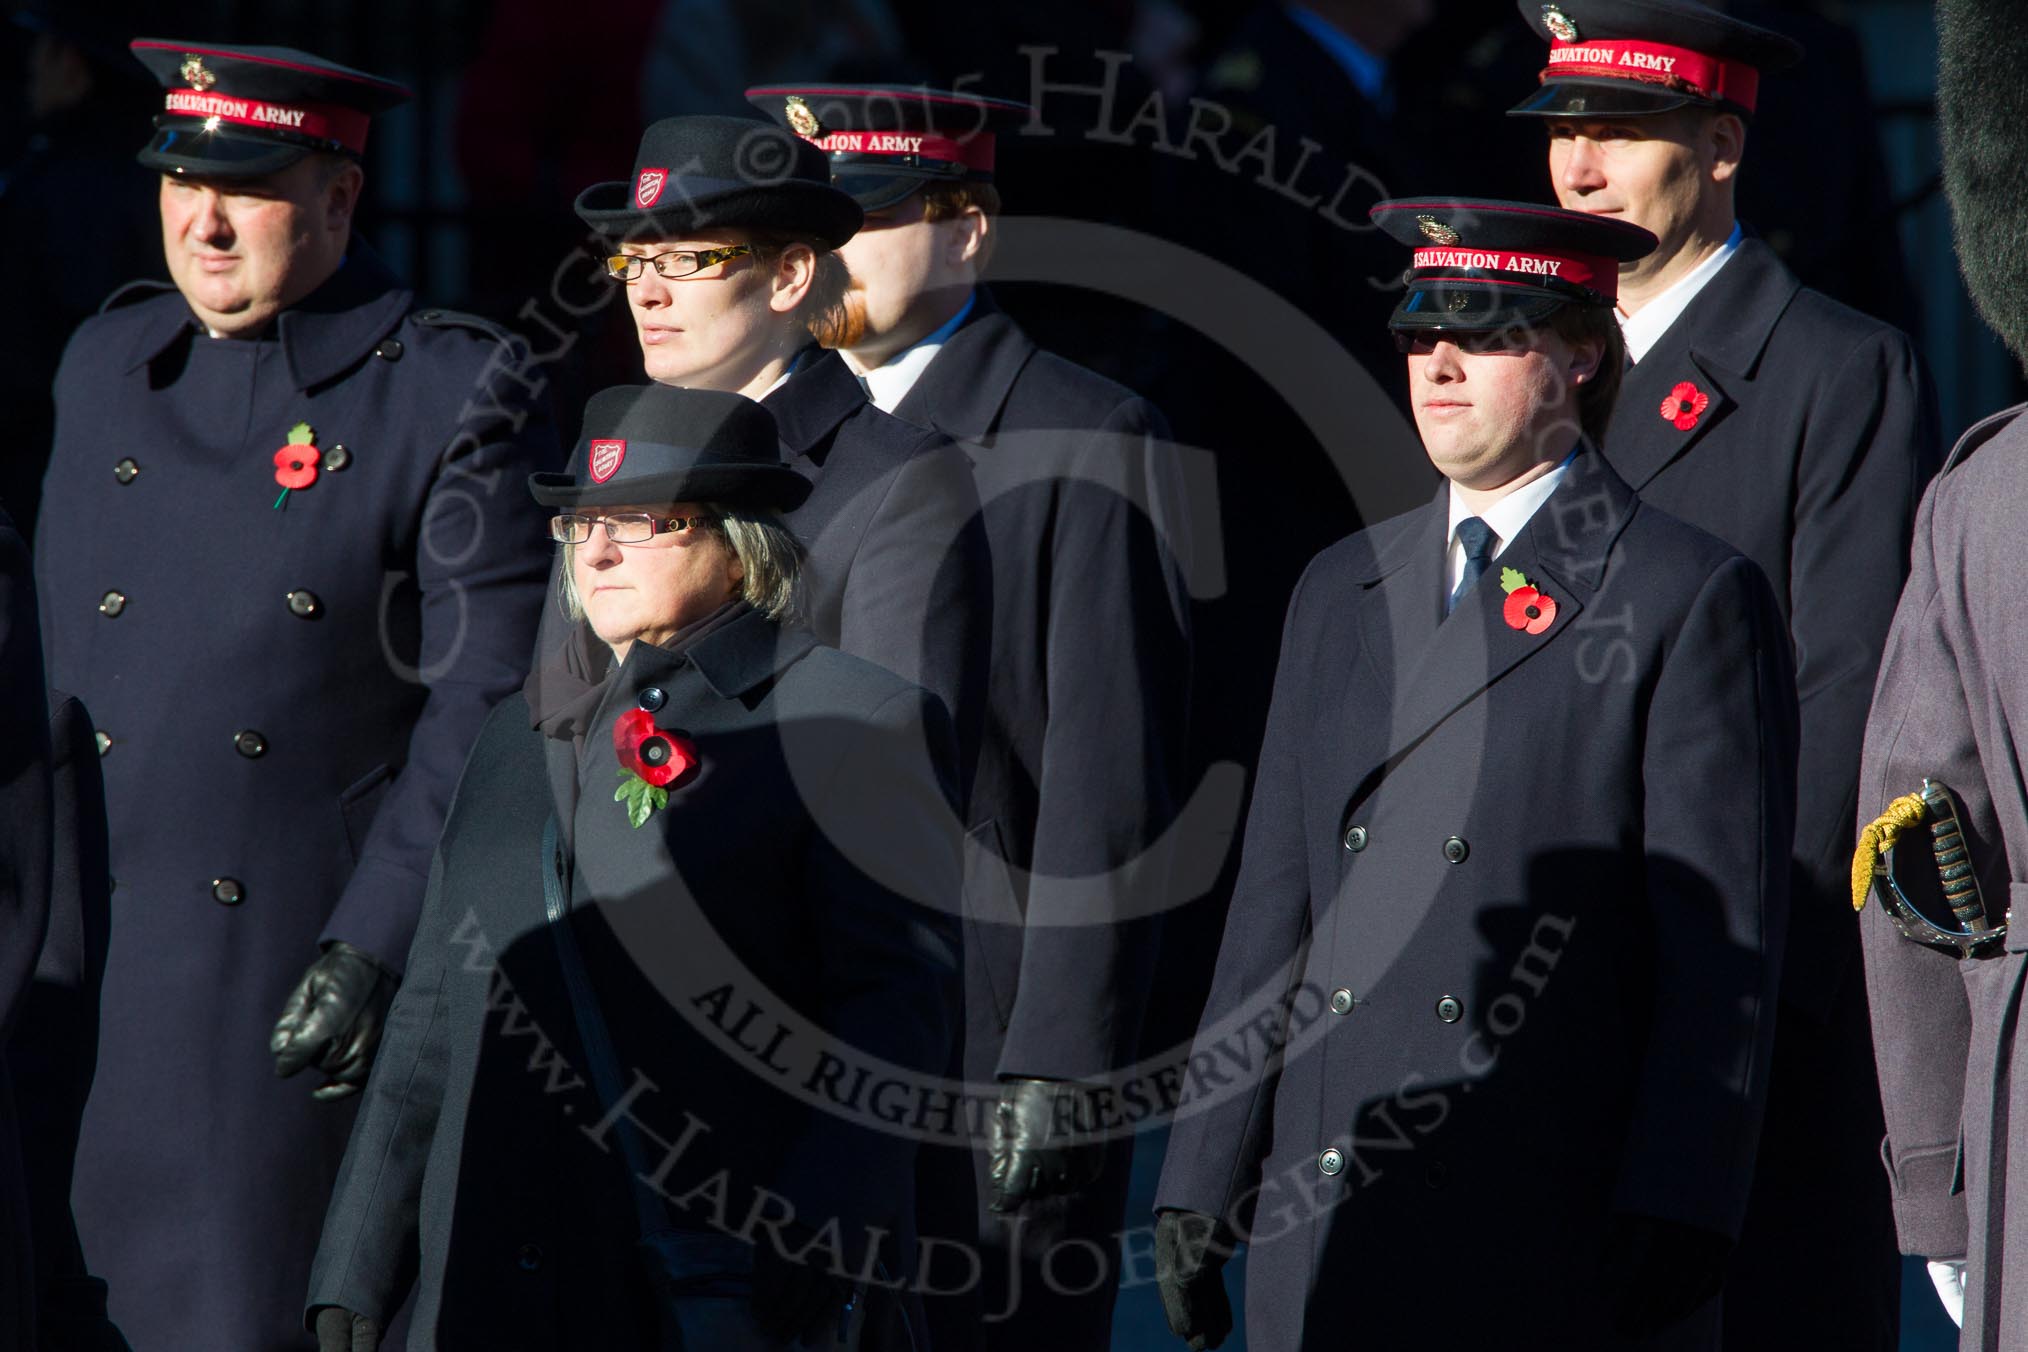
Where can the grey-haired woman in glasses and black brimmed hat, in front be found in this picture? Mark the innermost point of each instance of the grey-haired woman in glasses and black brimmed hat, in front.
(691, 901)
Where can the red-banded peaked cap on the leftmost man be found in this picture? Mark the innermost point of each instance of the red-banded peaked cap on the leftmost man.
(240, 112)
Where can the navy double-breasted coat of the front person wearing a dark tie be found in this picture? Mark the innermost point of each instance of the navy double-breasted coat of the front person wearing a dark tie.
(1502, 956)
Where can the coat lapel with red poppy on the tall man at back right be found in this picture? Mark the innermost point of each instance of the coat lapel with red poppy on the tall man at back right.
(1717, 348)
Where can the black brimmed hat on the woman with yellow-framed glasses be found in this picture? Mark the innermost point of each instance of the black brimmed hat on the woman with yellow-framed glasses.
(701, 173)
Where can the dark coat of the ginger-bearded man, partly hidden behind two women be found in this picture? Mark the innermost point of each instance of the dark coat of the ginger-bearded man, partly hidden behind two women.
(1082, 761)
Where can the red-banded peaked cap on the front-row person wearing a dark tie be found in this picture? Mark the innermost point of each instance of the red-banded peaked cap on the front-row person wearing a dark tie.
(1483, 265)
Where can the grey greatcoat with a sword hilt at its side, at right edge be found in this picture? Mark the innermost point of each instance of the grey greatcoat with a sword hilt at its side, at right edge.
(1950, 706)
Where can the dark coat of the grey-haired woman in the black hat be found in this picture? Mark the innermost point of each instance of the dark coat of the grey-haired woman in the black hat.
(757, 921)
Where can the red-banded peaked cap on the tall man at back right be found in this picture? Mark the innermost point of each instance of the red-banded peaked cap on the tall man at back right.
(1632, 58)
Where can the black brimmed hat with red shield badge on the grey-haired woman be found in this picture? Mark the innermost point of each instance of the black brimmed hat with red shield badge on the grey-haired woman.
(668, 445)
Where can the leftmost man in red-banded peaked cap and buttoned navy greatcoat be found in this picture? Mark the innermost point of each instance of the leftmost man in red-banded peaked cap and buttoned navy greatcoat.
(287, 565)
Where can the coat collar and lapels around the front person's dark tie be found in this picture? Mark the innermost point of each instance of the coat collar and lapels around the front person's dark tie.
(1427, 666)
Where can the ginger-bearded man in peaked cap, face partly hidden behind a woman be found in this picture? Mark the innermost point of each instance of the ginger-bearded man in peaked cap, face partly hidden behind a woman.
(1086, 715)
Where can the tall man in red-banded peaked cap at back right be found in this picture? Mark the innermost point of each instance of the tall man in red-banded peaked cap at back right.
(1802, 433)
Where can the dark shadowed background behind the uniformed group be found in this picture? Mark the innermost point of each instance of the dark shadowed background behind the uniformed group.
(1246, 133)
